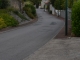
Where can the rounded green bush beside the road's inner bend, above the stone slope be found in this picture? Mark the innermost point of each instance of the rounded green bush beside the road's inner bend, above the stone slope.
(30, 9)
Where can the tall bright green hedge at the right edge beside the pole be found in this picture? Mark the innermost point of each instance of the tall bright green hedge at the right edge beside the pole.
(75, 16)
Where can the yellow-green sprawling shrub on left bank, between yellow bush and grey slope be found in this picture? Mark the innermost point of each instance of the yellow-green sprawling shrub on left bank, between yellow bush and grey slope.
(8, 19)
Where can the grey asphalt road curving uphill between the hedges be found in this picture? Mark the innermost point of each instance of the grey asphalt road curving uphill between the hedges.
(18, 43)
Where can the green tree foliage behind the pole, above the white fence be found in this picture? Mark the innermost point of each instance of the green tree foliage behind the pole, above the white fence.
(60, 4)
